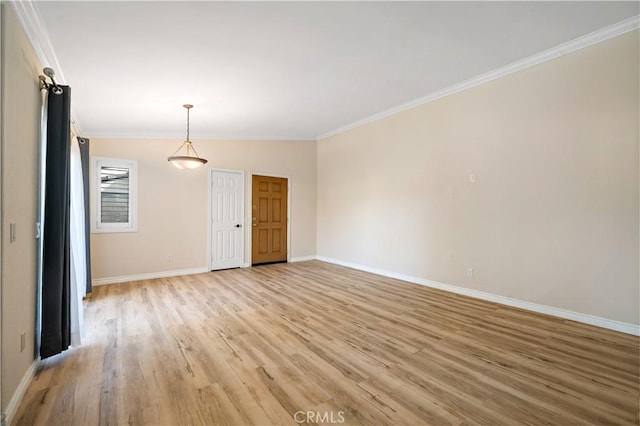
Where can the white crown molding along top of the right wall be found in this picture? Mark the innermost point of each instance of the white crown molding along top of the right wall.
(587, 40)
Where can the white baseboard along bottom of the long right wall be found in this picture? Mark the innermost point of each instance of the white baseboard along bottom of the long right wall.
(622, 327)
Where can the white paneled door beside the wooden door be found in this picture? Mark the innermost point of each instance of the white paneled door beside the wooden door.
(227, 232)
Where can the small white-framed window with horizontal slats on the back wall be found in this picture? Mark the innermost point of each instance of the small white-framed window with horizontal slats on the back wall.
(114, 195)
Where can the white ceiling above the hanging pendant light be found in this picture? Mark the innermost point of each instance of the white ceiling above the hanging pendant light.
(287, 70)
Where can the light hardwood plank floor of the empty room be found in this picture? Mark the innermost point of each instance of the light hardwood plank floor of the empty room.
(257, 345)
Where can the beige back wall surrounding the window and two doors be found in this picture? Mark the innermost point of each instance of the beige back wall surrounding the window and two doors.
(173, 204)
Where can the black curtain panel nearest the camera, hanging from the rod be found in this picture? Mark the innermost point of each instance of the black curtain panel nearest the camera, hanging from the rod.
(55, 335)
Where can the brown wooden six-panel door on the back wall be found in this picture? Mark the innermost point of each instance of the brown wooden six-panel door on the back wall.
(269, 220)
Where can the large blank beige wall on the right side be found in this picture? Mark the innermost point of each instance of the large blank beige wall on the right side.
(553, 216)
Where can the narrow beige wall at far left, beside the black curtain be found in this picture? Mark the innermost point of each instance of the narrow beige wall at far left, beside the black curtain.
(20, 126)
